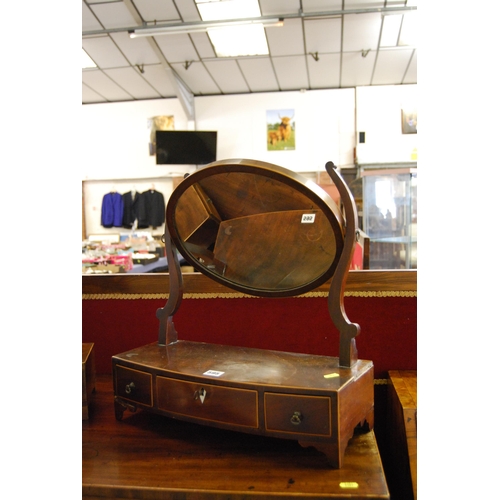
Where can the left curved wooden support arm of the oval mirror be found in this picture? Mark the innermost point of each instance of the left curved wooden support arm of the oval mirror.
(167, 333)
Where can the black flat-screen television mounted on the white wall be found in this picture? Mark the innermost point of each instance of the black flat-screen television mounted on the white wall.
(178, 147)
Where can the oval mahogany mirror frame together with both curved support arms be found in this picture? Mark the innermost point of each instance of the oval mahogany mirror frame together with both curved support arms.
(339, 268)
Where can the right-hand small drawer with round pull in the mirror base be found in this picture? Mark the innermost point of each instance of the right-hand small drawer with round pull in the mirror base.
(297, 414)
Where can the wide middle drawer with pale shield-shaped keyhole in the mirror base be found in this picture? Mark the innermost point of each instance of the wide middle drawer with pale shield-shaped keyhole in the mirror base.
(208, 402)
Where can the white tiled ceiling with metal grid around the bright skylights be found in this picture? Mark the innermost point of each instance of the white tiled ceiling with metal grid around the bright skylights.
(322, 45)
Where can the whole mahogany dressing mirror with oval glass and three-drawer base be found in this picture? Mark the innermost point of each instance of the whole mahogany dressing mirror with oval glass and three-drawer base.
(265, 231)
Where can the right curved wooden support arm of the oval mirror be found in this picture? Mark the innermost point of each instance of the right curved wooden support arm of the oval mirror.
(348, 354)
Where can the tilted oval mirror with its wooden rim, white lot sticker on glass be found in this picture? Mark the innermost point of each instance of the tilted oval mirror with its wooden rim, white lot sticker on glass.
(256, 227)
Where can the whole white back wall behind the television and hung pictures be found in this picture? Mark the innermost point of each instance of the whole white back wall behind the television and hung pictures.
(116, 136)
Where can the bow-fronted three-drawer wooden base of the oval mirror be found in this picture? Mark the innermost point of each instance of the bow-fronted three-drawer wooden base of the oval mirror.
(307, 398)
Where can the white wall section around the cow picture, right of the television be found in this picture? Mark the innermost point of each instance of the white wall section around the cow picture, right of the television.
(324, 127)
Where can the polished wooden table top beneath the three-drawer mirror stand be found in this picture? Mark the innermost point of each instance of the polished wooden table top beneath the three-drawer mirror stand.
(148, 456)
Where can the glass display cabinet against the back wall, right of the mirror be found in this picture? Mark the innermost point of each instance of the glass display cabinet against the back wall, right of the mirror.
(390, 217)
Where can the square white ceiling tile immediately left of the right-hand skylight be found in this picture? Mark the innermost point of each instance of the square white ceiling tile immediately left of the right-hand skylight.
(361, 31)
